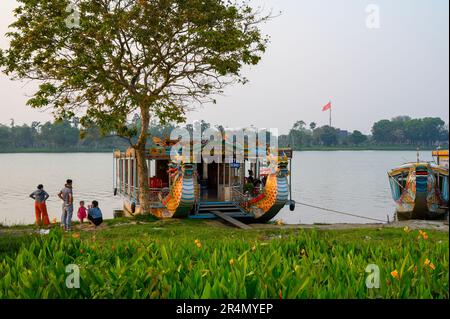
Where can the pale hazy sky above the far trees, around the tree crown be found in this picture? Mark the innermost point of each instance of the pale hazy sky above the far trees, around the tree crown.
(320, 50)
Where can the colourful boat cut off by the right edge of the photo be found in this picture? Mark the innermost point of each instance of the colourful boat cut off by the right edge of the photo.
(420, 189)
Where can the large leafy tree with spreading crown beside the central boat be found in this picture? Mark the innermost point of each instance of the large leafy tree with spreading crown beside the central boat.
(153, 57)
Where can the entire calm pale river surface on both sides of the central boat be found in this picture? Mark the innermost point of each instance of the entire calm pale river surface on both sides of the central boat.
(350, 181)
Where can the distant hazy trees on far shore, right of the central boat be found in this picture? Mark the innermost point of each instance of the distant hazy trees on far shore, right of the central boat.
(401, 130)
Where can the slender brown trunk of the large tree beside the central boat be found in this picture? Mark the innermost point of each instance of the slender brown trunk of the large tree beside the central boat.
(142, 168)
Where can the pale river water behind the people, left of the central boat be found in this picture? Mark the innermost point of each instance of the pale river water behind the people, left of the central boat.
(21, 173)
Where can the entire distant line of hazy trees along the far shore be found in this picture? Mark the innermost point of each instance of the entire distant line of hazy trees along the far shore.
(70, 136)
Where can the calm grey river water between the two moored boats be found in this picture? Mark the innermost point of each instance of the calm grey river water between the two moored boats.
(350, 181)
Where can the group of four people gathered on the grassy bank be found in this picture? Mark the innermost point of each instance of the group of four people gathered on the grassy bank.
(92, 213)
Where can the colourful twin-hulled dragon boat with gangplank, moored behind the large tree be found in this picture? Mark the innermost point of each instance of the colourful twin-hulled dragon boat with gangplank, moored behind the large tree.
(180, 189)
